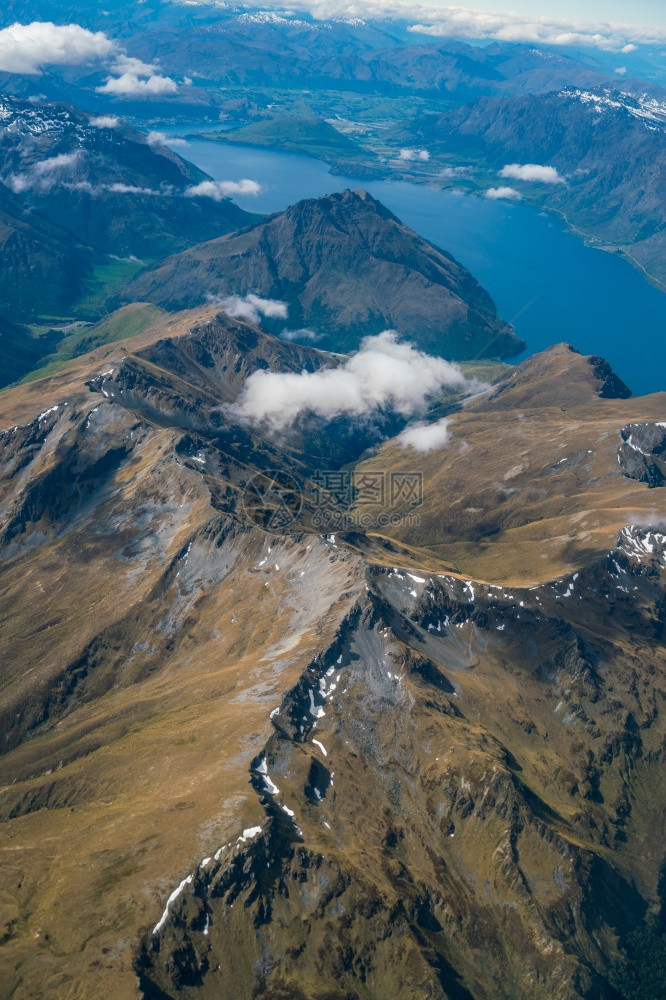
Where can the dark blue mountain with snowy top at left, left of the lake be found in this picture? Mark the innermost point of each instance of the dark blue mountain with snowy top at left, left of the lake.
(90, 188)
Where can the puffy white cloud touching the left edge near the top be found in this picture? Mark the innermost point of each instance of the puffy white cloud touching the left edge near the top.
(29, 48)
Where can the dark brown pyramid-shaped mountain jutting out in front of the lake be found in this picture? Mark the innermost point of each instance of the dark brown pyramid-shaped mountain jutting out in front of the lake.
(346, 267)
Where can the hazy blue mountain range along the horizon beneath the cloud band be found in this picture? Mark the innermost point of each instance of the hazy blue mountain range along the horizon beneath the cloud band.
(282, 49)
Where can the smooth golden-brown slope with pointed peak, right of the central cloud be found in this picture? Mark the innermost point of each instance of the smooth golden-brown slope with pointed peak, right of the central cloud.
(542, 494)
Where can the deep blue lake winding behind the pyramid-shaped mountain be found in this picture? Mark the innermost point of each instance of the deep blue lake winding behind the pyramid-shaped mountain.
(544, 280)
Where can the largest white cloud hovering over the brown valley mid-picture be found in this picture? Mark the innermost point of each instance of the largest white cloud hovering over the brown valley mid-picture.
(383, 373)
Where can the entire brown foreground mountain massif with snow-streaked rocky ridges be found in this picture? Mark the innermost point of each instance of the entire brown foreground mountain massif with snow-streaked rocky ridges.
(372, 772)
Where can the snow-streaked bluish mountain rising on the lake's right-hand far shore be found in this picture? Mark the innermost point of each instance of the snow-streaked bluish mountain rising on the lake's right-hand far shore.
(609, 146)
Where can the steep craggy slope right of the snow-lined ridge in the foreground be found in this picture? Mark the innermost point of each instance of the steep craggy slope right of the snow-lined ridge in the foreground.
(447, 795)
